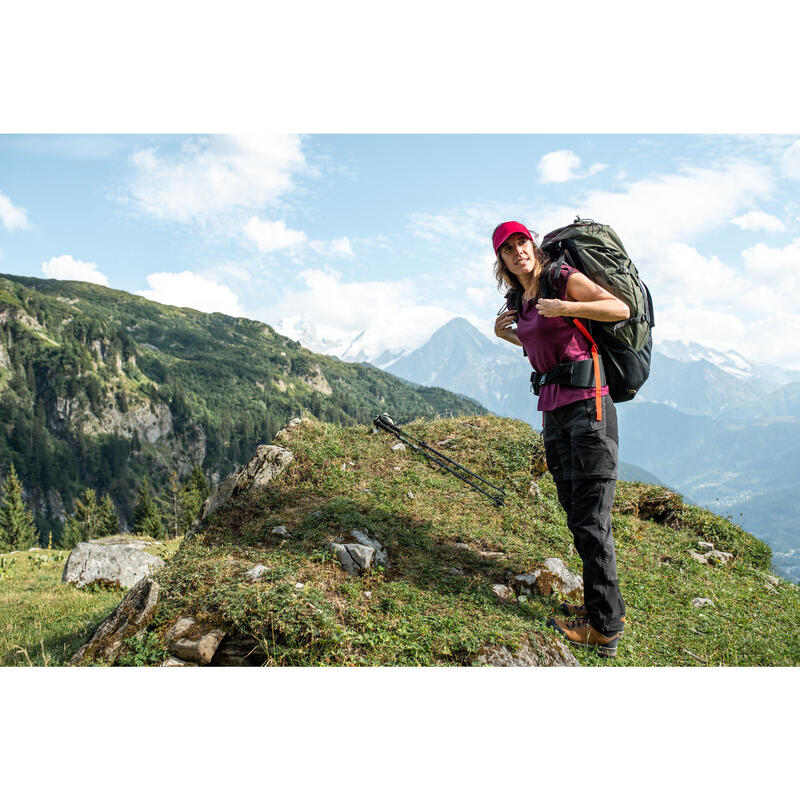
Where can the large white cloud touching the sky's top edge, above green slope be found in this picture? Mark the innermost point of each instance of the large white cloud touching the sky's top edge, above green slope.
(214, 175)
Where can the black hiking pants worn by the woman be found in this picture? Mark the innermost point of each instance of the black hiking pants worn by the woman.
(582, 455)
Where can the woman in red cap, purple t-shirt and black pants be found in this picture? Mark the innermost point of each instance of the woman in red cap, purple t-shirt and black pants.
(580, 431)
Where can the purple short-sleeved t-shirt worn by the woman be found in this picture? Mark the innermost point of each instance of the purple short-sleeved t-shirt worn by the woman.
(549, 341)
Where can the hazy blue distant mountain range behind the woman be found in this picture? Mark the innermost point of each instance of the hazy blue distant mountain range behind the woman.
(713, 425)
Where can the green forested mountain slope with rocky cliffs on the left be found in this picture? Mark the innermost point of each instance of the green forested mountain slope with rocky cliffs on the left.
(99, 387)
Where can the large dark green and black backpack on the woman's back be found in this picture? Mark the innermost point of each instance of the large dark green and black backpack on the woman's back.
(597, 252)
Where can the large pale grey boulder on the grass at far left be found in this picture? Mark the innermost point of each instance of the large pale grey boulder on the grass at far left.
(122, 563)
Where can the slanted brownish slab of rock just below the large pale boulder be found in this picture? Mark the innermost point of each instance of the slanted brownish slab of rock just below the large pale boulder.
(136, 610)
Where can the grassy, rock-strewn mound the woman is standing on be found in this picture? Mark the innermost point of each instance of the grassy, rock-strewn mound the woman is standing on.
(447, 546)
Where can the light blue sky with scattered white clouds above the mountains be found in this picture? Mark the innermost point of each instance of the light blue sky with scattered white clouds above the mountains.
(326, 236)
